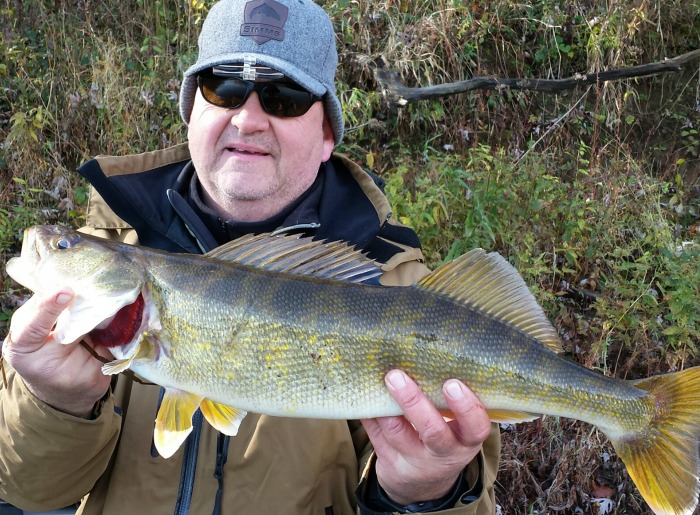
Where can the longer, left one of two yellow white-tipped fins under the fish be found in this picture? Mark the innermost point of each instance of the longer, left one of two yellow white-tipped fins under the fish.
(174, 420)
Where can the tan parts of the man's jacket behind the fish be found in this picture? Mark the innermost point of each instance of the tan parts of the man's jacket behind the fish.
(275, 465)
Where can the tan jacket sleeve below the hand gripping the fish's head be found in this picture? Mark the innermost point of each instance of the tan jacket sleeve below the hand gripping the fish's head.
(49, 459)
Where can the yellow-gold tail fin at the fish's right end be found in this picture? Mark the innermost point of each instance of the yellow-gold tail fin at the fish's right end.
(662, 458)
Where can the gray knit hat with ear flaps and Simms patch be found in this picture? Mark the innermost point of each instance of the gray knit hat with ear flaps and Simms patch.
(295, 37)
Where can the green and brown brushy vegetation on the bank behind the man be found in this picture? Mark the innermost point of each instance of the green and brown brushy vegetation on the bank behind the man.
(594, 195)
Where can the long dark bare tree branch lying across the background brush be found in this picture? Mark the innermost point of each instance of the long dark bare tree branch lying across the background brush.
(399, 95)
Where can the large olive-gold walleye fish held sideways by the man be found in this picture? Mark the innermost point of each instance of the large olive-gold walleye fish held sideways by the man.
(284, 326)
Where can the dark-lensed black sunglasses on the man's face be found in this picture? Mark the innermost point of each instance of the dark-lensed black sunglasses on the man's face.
(284, 99)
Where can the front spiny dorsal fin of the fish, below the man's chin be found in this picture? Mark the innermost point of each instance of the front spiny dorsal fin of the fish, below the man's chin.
(299, 256)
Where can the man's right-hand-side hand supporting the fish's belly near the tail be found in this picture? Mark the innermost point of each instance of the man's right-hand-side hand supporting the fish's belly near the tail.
(420, 456)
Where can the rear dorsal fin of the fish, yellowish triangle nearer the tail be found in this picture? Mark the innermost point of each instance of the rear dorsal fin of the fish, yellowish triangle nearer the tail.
(488, 283)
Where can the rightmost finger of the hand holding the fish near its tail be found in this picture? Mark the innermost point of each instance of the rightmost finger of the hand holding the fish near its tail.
(471, 424)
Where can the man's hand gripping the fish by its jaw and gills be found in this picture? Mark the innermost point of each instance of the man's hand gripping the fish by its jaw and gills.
(66, 377)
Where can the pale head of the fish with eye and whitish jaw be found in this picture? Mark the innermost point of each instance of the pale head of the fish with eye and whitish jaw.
(104, 275)
